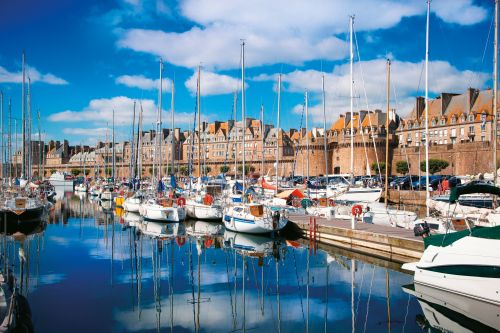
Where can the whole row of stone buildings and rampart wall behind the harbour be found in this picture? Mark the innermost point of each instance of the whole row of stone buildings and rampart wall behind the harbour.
(460, 131)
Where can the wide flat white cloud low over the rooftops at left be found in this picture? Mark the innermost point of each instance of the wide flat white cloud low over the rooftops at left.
(100, 112)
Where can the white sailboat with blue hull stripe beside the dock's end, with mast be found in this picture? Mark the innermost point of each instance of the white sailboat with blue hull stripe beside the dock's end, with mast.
(247, 216)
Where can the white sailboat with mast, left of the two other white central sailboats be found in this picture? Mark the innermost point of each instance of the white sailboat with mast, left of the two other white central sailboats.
(162, 209)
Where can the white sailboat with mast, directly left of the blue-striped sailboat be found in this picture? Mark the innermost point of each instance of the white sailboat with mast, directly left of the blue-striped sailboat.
(201, 205)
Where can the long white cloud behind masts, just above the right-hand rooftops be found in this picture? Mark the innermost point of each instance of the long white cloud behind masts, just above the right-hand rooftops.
(405, 77)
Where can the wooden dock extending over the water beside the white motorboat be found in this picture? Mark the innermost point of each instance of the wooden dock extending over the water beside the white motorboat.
(395, 244)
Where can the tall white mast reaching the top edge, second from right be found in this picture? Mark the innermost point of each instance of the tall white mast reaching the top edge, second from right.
(427, 194)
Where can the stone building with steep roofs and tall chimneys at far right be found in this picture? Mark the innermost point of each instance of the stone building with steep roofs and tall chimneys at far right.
(460, 132)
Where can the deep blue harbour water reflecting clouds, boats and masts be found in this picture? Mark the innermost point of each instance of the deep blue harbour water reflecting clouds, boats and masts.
(107, 270)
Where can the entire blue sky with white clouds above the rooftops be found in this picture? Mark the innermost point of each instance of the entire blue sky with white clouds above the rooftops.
(87, 58)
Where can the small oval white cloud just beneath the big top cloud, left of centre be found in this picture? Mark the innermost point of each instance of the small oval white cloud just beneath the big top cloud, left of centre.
(213, 83)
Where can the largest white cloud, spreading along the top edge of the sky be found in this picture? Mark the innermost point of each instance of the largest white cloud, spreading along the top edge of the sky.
(279, 31)
